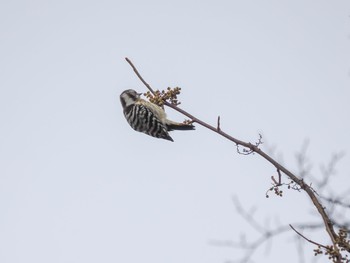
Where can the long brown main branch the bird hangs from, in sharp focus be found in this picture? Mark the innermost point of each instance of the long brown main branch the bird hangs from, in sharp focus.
(254, 148)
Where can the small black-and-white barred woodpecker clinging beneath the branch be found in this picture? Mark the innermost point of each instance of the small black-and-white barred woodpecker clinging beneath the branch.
(147, 117)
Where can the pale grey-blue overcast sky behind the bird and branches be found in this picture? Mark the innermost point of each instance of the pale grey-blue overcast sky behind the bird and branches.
(77, 184)
